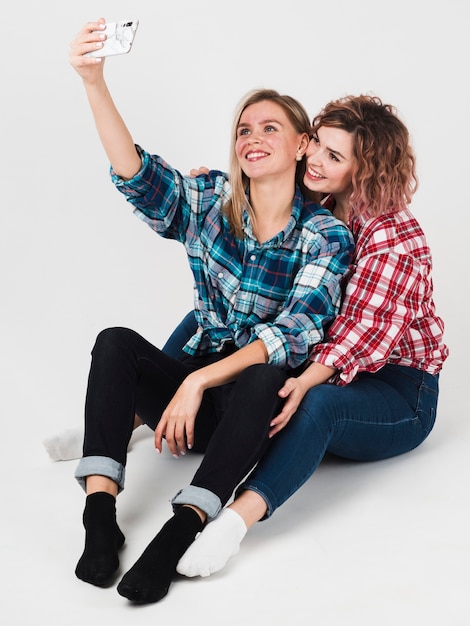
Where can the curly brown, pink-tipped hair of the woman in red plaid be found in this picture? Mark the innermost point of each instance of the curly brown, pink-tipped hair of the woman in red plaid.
(384, 179)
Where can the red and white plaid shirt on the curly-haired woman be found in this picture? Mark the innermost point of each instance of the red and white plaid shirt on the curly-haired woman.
(388, 313)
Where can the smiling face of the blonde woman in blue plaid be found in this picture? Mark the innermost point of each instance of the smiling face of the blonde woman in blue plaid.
(267, 143)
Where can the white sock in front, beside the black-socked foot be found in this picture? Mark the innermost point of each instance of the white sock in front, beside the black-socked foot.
(211, 550)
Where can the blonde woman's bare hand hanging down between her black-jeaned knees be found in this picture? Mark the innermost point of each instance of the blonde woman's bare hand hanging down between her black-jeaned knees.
(177, 421)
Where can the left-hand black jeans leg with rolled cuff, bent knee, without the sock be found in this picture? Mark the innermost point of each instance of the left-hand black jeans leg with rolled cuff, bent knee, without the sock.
(128, 375)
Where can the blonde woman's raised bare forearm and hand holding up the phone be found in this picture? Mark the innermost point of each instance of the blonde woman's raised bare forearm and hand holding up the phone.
(115, 137)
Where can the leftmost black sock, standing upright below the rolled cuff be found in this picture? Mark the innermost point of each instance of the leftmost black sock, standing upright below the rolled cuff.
(103, 539)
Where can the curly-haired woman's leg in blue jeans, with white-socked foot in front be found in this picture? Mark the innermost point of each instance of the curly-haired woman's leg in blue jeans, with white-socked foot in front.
(378, 416)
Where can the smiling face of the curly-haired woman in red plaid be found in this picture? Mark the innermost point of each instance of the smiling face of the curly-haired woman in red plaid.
(330, 162)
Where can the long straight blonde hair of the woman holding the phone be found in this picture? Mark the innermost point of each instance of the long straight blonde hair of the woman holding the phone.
(299, 119)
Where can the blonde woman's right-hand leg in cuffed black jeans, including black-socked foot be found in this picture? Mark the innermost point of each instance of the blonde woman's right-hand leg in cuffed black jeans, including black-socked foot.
(246, 409)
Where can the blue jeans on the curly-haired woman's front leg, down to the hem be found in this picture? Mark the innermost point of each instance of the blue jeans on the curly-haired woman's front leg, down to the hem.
(375, 417)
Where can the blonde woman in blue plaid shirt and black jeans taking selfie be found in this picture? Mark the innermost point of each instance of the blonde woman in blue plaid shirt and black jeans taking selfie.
(267, 265)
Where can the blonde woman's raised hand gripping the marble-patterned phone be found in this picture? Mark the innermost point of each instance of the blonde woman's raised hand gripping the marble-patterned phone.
(89, 68)
